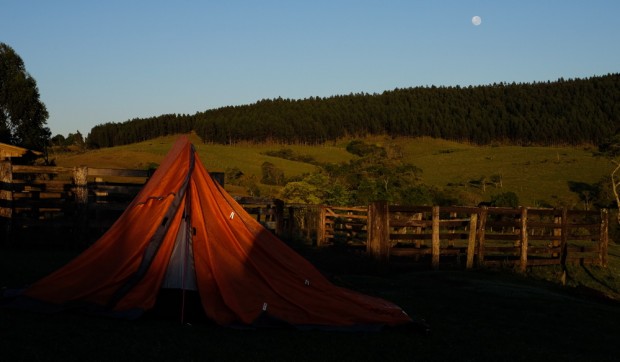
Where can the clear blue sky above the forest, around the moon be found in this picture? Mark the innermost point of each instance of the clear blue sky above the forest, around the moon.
(113, 60)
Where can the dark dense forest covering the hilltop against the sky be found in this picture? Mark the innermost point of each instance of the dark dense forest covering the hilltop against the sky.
(563, 112)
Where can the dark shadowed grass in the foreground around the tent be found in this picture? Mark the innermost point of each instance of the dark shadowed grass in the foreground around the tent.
(474, 316)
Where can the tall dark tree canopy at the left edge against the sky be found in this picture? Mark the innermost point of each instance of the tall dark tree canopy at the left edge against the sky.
(22, 115)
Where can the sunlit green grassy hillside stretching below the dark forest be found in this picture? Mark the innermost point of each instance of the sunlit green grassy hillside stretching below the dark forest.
(535, 174)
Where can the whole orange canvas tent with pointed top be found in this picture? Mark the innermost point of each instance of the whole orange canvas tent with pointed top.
(184, 231)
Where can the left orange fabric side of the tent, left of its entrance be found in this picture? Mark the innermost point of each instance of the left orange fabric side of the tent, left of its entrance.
(118, 253)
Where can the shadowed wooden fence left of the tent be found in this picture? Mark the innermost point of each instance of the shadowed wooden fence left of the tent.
(44, 205)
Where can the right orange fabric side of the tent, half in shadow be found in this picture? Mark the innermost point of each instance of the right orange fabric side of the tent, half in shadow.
(257, 273)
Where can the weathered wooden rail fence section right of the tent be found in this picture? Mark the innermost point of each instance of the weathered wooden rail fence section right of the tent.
(469, 236)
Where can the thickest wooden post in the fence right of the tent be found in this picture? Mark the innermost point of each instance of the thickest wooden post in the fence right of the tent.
(378, 232)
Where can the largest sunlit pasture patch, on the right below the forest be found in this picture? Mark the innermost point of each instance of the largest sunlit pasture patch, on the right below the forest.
(533, 173)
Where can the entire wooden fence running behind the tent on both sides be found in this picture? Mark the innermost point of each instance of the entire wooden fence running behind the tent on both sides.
(76, 205)
